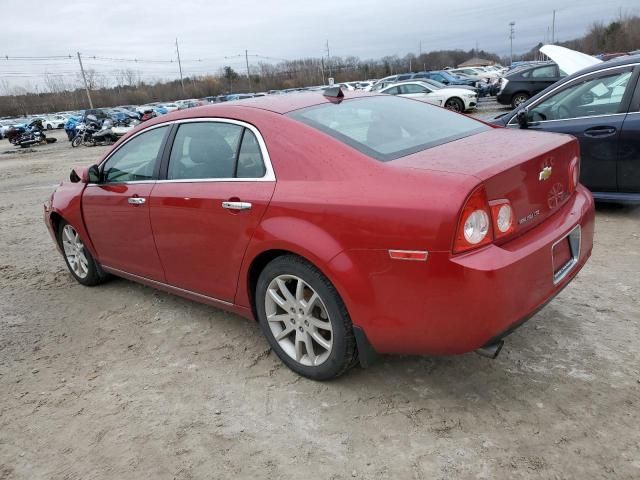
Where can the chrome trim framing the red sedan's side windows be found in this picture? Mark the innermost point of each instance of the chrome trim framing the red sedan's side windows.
(269, 175)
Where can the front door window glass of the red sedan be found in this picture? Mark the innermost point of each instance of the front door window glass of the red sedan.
(136, 159)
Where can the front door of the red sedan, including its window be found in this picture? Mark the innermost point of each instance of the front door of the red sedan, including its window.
(116, 210)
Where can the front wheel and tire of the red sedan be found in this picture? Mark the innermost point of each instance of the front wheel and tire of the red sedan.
(80, 263)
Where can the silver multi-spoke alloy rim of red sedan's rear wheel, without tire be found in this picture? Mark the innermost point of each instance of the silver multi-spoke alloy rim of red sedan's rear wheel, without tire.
(298, 320)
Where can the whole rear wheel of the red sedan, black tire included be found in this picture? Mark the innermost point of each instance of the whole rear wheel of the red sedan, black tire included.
(324, 325)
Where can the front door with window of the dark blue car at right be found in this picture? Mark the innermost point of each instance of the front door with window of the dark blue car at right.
(591, 108)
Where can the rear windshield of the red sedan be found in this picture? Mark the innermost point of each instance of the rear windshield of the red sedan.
(388, 127)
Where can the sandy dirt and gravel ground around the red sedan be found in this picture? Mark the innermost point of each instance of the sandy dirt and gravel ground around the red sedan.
(125, 382)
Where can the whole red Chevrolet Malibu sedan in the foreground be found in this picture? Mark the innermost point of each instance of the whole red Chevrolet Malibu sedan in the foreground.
(345, 226)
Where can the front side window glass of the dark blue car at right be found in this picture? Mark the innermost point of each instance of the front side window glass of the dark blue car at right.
(590, 97)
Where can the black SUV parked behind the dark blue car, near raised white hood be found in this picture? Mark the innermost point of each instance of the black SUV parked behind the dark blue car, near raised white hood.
(523, 83)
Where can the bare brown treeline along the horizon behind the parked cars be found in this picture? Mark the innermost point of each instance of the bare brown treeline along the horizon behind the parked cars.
(125, 87)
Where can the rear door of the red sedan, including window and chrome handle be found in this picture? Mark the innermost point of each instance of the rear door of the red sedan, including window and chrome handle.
(217, 183)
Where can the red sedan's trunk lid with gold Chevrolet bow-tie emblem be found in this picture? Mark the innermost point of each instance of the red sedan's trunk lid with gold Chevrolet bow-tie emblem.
(530, 169)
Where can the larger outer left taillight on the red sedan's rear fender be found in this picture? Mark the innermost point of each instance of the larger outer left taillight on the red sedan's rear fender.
(474, 228)
